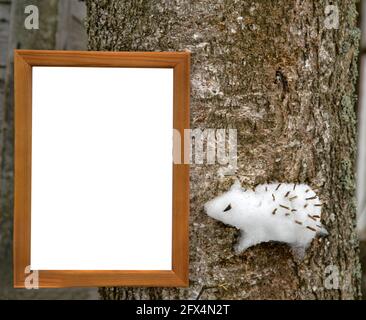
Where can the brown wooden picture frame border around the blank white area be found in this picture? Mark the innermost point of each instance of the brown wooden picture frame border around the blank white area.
(23, 62)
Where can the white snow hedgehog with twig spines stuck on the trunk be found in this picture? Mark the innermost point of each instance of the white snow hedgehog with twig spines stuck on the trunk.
(288, 213)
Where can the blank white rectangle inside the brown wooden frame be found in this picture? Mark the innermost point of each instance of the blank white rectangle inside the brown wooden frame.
(101, 194)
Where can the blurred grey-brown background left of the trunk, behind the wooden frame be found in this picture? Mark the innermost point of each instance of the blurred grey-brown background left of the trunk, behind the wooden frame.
(61, 26)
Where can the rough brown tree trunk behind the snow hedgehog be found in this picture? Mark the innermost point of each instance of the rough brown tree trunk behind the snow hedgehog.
(273, 71)
